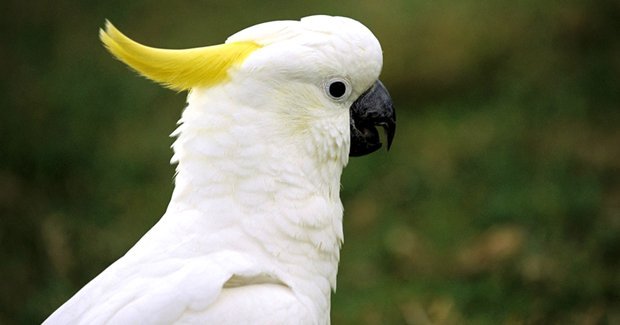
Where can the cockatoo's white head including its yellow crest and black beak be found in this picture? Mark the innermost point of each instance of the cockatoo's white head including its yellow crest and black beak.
(317, 77)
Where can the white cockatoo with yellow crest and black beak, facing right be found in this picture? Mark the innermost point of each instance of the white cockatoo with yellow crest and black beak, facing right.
(253, 230)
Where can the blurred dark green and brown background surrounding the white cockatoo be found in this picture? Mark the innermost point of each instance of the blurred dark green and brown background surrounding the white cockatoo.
(498, 204)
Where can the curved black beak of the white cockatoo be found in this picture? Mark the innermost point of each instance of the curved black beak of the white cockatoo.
(373, 108)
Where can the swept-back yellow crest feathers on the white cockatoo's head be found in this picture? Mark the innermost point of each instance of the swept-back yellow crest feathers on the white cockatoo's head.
(177, 69)
